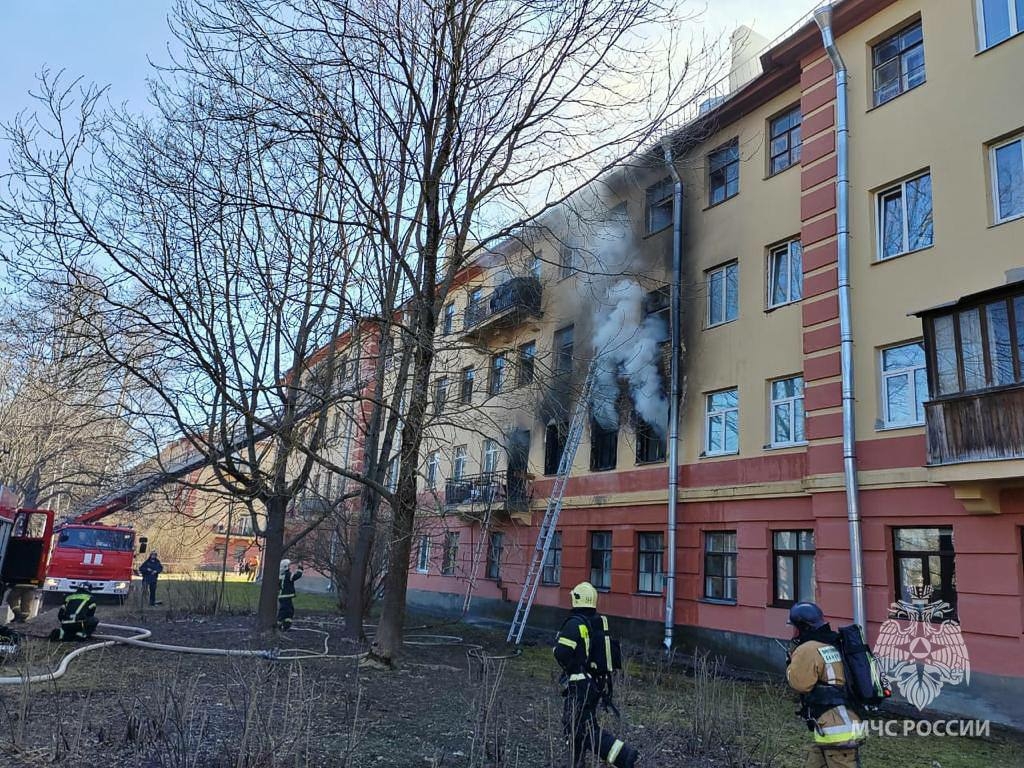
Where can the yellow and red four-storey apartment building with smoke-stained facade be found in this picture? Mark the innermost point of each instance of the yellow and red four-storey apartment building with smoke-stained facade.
(936, 217)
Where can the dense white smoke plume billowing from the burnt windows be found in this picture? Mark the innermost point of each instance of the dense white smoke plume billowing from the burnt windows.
(626, 344)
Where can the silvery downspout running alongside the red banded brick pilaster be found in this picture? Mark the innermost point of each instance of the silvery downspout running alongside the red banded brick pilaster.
(823, 17)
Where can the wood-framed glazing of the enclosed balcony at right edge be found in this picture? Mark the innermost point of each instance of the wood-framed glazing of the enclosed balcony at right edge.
(978, 348)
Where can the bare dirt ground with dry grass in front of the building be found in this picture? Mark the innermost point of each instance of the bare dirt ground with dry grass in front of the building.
(454, 702)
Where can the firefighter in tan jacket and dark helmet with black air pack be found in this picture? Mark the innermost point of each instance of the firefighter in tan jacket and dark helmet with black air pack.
(815, 670)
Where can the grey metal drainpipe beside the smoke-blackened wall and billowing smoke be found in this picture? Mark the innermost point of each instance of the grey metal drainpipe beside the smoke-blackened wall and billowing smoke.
(676, 342)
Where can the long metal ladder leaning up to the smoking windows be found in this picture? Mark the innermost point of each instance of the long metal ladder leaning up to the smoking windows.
(550, 522)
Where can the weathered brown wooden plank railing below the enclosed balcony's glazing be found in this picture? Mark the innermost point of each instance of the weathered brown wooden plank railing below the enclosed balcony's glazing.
(979, 426)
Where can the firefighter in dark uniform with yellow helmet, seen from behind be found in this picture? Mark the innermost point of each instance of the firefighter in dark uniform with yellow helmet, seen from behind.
(583, 651)
